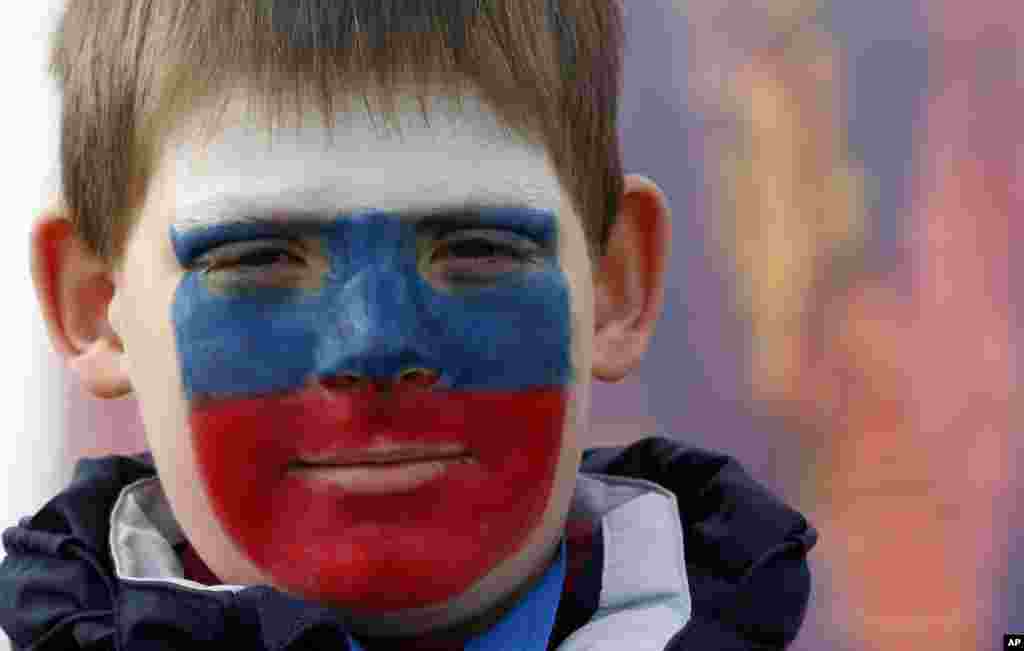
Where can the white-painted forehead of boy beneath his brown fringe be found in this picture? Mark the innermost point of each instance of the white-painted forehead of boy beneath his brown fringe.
(461, 156)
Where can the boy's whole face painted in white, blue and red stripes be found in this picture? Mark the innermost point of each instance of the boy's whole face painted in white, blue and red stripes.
(291, 300)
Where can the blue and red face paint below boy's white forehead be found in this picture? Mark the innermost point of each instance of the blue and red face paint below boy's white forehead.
(264, 352)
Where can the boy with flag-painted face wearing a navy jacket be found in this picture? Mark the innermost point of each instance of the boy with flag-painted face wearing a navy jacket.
(362, 352)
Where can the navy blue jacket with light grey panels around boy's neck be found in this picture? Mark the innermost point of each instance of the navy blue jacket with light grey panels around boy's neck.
(668, 548)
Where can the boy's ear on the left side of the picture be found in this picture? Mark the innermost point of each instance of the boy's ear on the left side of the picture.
(75, 290)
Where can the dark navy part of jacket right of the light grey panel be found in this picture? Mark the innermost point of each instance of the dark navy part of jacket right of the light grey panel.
(746, 549)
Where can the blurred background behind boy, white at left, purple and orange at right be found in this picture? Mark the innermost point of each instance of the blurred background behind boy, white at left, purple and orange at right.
(839, 316)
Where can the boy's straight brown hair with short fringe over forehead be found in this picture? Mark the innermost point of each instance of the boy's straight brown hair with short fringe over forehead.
(131, 71)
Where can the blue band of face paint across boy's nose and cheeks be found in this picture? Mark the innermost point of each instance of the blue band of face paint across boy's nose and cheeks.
(375, 313)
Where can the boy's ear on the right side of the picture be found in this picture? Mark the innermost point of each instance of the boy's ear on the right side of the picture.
(629, 281)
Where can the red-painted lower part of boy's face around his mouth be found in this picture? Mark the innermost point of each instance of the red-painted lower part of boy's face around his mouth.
(377, 539)
